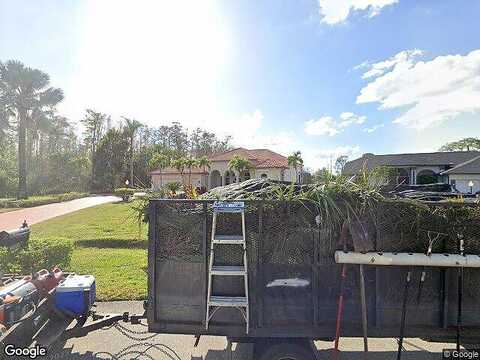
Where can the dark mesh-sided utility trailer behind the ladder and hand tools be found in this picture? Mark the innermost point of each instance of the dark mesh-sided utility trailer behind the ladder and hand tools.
(293, 282)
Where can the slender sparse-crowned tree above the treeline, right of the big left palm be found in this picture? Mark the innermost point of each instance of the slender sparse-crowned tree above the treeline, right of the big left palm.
(94, 123)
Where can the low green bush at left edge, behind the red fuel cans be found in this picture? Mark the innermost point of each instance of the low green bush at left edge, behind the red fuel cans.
(39, 254)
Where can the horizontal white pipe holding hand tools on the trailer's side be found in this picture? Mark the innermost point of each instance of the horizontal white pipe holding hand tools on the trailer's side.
(407, 259)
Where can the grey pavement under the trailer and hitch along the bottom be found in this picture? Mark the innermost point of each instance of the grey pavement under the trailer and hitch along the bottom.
(128, 341)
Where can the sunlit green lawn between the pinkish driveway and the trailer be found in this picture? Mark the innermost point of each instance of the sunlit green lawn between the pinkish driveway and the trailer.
(108, 244)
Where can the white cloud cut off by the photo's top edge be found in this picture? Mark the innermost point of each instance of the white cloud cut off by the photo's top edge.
(337, 11)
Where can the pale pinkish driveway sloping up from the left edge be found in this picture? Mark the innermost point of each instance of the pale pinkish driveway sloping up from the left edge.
(14, 219)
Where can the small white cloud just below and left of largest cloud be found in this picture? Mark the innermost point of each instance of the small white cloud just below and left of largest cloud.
(327, 125)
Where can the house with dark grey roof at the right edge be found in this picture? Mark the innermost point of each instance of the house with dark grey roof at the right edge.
(461, 169)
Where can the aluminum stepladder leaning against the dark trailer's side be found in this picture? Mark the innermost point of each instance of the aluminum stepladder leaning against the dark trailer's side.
(214, 303)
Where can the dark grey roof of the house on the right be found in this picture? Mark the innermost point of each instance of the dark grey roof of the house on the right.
(371, 161)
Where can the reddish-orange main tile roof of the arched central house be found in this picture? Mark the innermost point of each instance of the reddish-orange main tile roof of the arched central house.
(261, 158)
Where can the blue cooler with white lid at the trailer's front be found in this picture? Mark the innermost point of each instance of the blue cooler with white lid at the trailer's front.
(76, 294)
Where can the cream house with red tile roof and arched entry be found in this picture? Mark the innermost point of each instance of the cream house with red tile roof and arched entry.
(266, 164)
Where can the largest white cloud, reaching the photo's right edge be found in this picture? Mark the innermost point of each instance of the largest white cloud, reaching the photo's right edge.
(432, 91)
